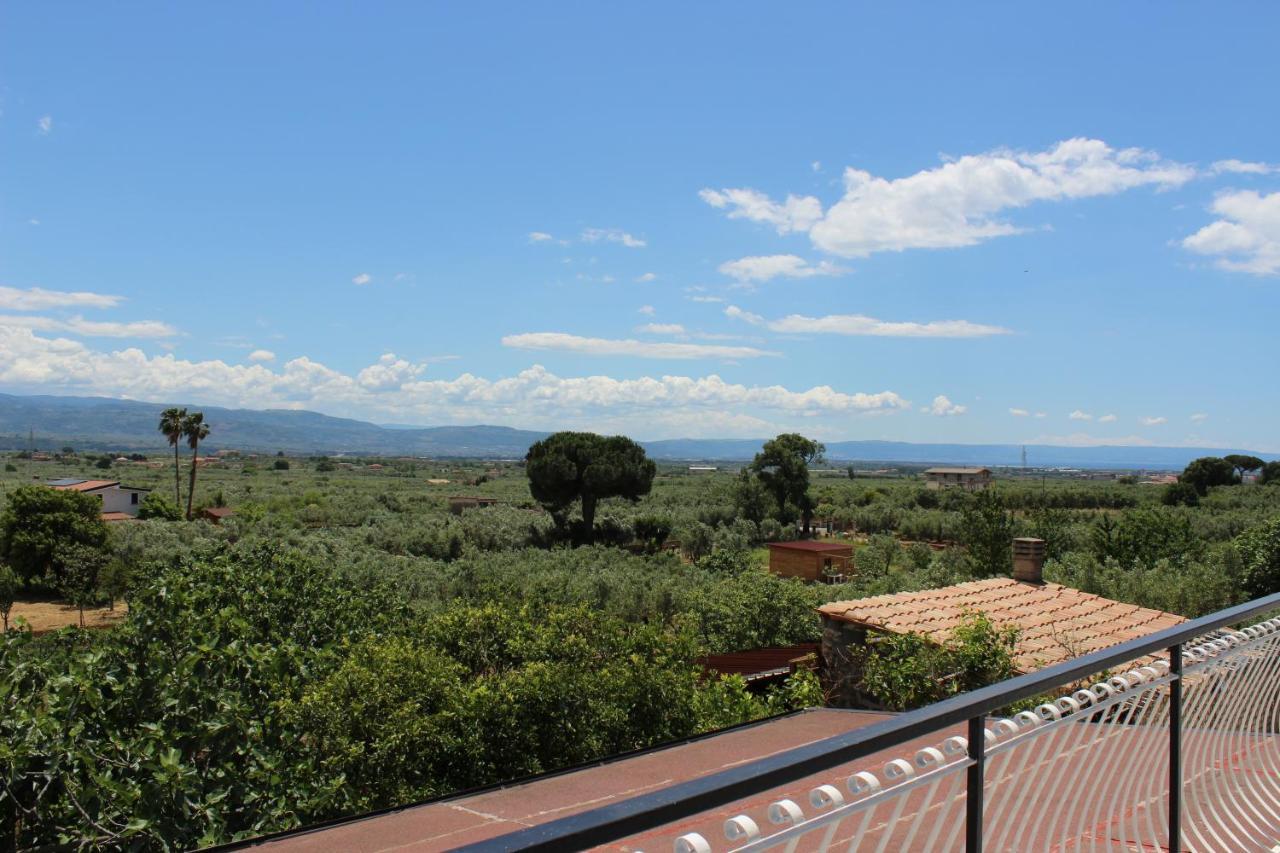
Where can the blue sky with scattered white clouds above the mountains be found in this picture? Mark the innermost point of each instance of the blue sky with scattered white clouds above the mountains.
(893, 221)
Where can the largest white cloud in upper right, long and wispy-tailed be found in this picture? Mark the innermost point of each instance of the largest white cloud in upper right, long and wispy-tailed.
(958, 203)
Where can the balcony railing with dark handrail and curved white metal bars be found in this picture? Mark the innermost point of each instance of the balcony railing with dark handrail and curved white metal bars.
(1163, 743)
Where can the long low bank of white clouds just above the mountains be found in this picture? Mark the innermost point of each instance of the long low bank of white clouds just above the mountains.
(647, 407)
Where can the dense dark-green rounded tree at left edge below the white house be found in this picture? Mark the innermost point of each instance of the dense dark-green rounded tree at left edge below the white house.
(40, 527)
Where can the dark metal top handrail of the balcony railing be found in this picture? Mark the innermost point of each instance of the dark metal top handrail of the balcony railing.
(685, 800)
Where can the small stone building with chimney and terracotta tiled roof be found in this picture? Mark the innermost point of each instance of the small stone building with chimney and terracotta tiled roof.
(1055, 623)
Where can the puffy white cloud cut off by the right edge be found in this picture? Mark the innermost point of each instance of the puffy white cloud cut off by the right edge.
(1247, 238)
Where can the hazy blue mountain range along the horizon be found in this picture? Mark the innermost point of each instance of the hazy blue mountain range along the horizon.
(100, 423)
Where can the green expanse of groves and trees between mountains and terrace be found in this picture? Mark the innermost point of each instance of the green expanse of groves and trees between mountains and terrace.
(345, 641)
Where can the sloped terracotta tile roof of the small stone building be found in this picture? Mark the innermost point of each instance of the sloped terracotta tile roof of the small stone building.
(1055, 623)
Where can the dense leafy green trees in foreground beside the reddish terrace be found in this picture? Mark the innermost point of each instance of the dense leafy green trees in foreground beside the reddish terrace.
(253, 691)
